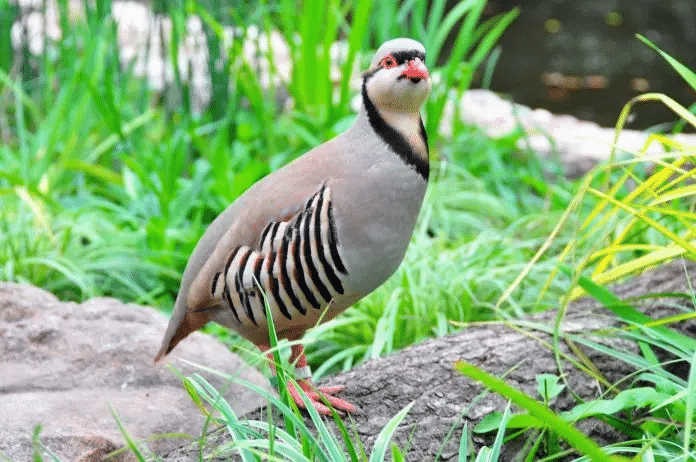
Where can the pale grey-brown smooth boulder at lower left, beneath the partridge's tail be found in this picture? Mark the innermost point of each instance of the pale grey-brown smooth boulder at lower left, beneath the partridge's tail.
(64, 364)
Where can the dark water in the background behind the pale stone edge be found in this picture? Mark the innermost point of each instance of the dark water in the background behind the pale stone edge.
(581, 57)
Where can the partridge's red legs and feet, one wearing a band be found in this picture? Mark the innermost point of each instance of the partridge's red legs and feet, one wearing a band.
(303, 376)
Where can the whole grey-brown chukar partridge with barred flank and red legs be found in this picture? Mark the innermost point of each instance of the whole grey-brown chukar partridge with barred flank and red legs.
(322, 232)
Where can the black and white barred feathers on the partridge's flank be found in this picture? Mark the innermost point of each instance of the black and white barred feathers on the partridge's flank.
(297, 264)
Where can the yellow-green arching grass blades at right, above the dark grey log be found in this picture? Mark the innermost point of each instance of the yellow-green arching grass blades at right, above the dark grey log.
(641, 212)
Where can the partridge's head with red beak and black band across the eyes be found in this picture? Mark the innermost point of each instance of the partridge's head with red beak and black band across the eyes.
(398, 79)
